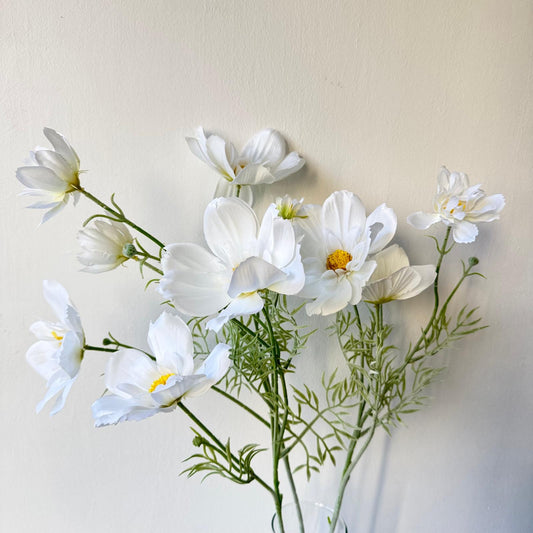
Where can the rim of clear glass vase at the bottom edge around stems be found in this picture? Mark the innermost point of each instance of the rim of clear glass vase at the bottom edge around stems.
(316, 519)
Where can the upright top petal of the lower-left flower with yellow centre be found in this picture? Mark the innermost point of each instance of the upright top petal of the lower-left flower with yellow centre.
(170, 340)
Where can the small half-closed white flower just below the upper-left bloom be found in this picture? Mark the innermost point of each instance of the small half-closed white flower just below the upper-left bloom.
(105, 246)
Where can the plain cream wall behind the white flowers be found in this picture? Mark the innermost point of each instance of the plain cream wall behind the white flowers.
(376, 96)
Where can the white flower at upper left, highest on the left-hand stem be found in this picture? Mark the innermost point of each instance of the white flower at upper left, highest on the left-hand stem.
(53, 175)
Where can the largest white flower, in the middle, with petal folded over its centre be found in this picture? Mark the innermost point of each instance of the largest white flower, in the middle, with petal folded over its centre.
(243, 258)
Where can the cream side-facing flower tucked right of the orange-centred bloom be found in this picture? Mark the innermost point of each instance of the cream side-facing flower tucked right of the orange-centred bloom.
(394, 279)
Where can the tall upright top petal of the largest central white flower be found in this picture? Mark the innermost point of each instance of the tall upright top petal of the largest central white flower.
(230, 229)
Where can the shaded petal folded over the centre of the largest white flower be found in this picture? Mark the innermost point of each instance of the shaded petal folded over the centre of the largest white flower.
(254, 274)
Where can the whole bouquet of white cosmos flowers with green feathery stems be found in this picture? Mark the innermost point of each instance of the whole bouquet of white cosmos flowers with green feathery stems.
(234, 320)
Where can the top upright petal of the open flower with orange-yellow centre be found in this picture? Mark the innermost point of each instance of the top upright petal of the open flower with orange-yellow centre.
(343, 215)
